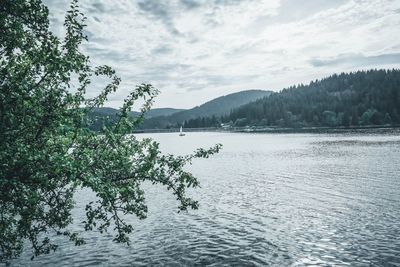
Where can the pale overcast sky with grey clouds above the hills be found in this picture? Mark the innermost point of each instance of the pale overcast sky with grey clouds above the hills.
(196, 50)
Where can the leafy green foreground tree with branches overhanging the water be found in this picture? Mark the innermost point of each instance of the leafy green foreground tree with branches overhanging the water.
(47, 151)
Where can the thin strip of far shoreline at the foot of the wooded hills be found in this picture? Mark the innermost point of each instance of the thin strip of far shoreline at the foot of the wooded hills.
(256, 129)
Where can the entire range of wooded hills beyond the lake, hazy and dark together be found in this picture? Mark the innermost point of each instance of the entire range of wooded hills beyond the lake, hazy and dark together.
(348, 99)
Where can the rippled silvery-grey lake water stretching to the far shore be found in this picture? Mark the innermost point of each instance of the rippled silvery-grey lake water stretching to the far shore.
(266, 199)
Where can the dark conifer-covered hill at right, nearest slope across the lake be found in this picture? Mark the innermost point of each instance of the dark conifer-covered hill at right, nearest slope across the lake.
(352, 99)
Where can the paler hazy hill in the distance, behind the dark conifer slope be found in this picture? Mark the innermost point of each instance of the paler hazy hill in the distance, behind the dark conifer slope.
(216, 107)
